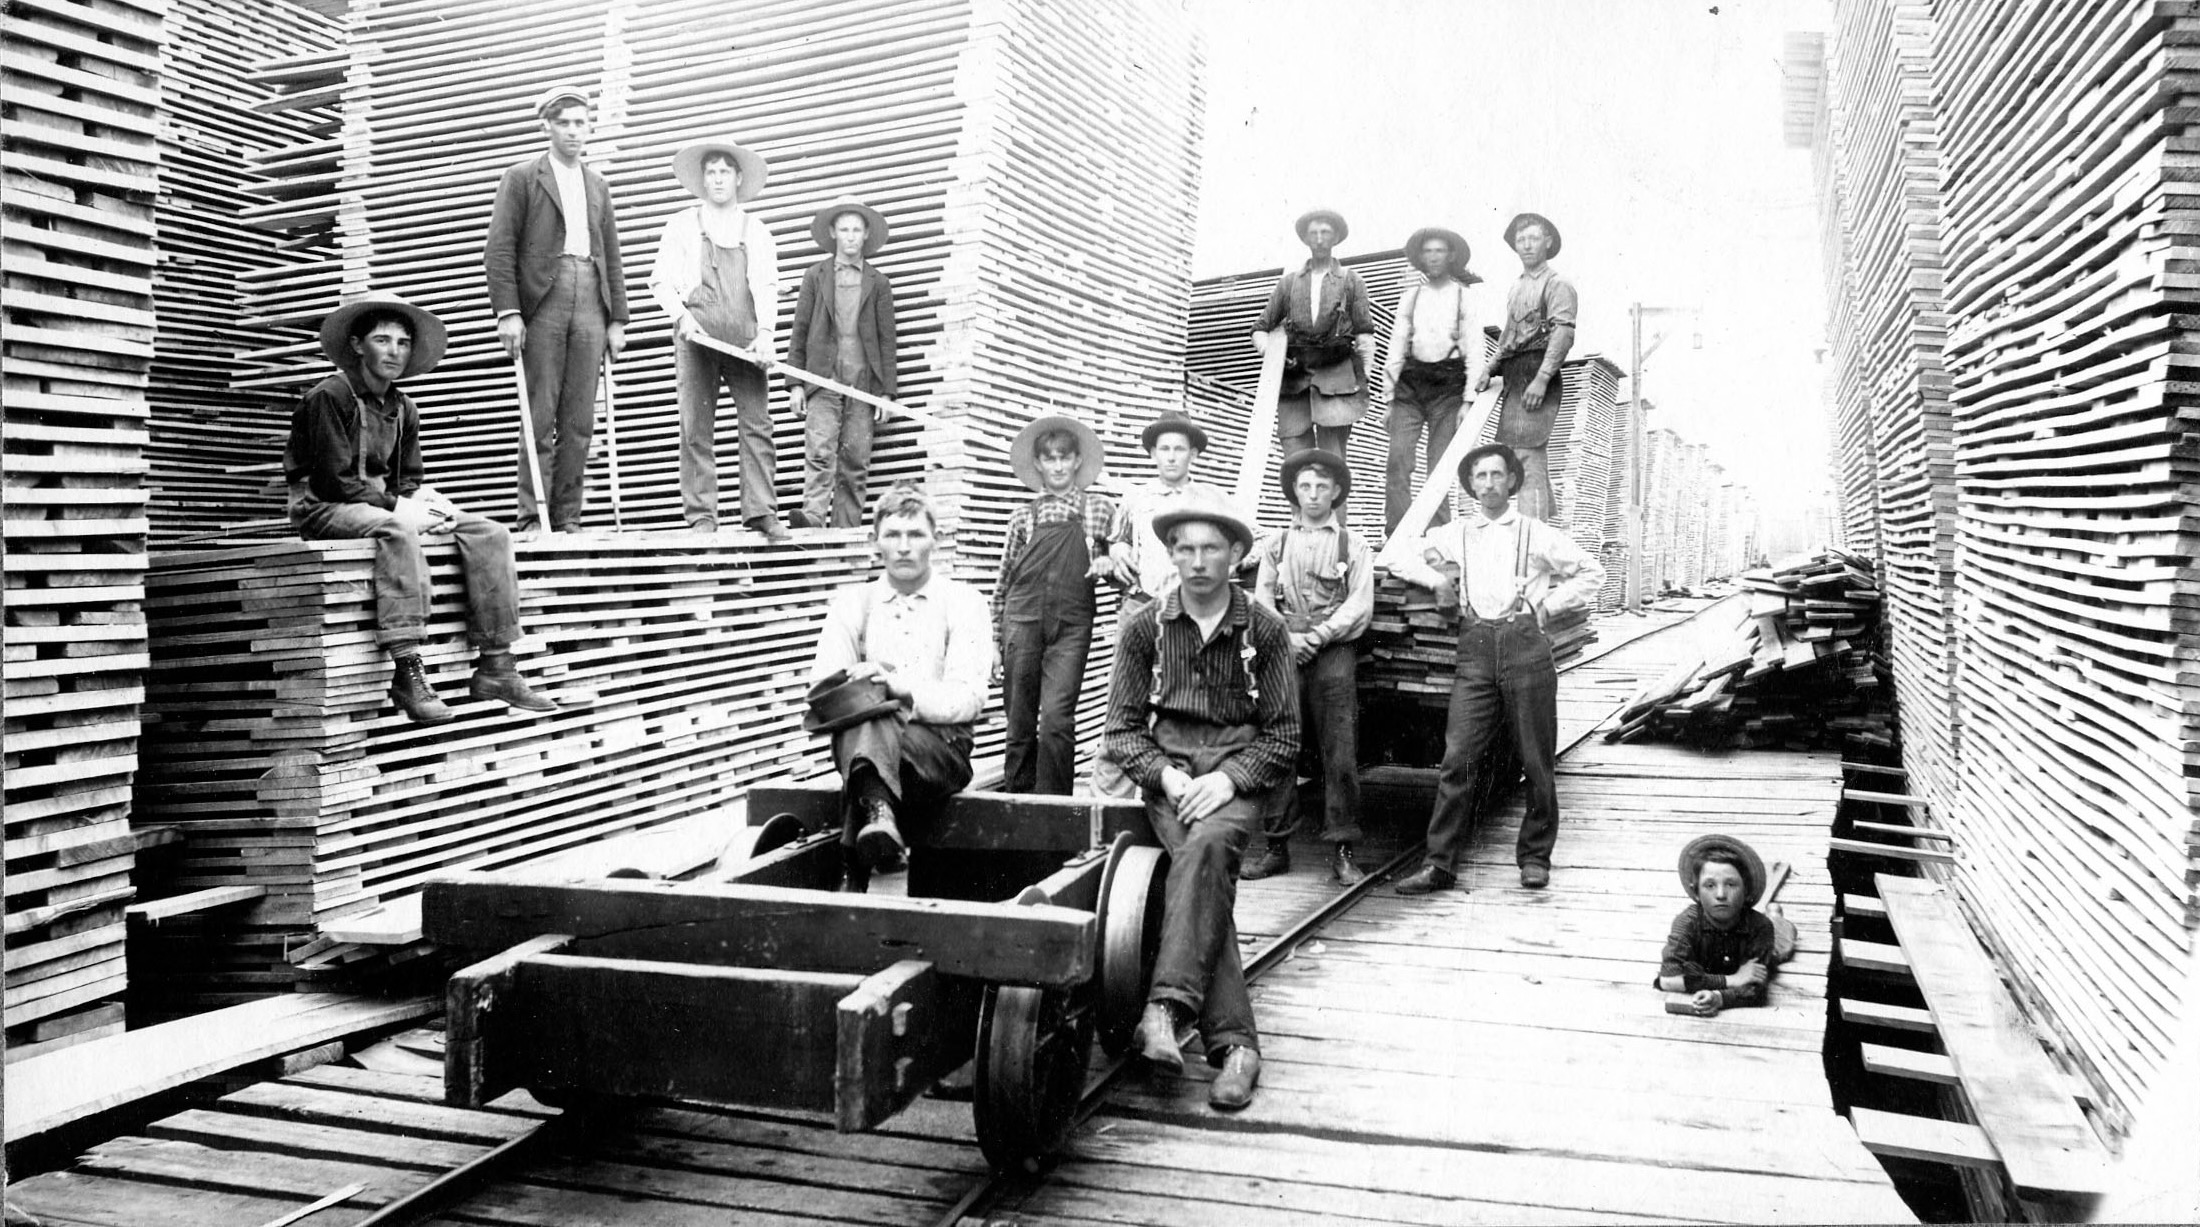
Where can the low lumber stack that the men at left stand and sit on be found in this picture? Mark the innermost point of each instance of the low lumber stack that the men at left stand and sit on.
(272, 744)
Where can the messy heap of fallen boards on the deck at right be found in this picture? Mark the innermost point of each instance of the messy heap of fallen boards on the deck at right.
(1798, 670)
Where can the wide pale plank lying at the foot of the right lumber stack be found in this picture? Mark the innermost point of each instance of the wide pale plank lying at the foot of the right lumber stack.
(2014, 1090)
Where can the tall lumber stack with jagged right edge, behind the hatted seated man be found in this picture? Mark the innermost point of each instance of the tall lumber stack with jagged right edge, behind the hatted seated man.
(214, 450)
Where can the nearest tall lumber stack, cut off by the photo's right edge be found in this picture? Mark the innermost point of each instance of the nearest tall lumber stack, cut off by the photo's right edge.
(2071, 331)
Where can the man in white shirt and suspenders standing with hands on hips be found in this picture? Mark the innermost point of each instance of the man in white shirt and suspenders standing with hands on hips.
(1515, 573)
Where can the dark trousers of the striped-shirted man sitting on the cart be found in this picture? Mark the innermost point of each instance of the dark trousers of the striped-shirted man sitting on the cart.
(1198, 966)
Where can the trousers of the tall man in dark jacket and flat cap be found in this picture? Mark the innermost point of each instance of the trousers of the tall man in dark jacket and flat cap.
(562, 362)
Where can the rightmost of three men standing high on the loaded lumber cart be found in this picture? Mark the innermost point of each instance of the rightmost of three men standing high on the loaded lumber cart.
(1532, 353)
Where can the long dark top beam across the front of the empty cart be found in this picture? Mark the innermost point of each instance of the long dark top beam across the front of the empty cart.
(764, 927)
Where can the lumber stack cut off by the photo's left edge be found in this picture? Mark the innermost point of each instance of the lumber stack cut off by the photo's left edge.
(78, 214)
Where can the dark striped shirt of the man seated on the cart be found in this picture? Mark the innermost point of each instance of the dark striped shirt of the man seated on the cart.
(1244, 676)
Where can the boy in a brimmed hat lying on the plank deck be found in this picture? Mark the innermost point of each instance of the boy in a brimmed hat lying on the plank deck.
(1721, 949)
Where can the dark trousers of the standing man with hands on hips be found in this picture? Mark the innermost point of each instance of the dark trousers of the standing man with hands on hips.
(1504, 685)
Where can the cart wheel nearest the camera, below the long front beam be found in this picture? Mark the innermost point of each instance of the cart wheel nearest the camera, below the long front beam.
(1031, 1074)
